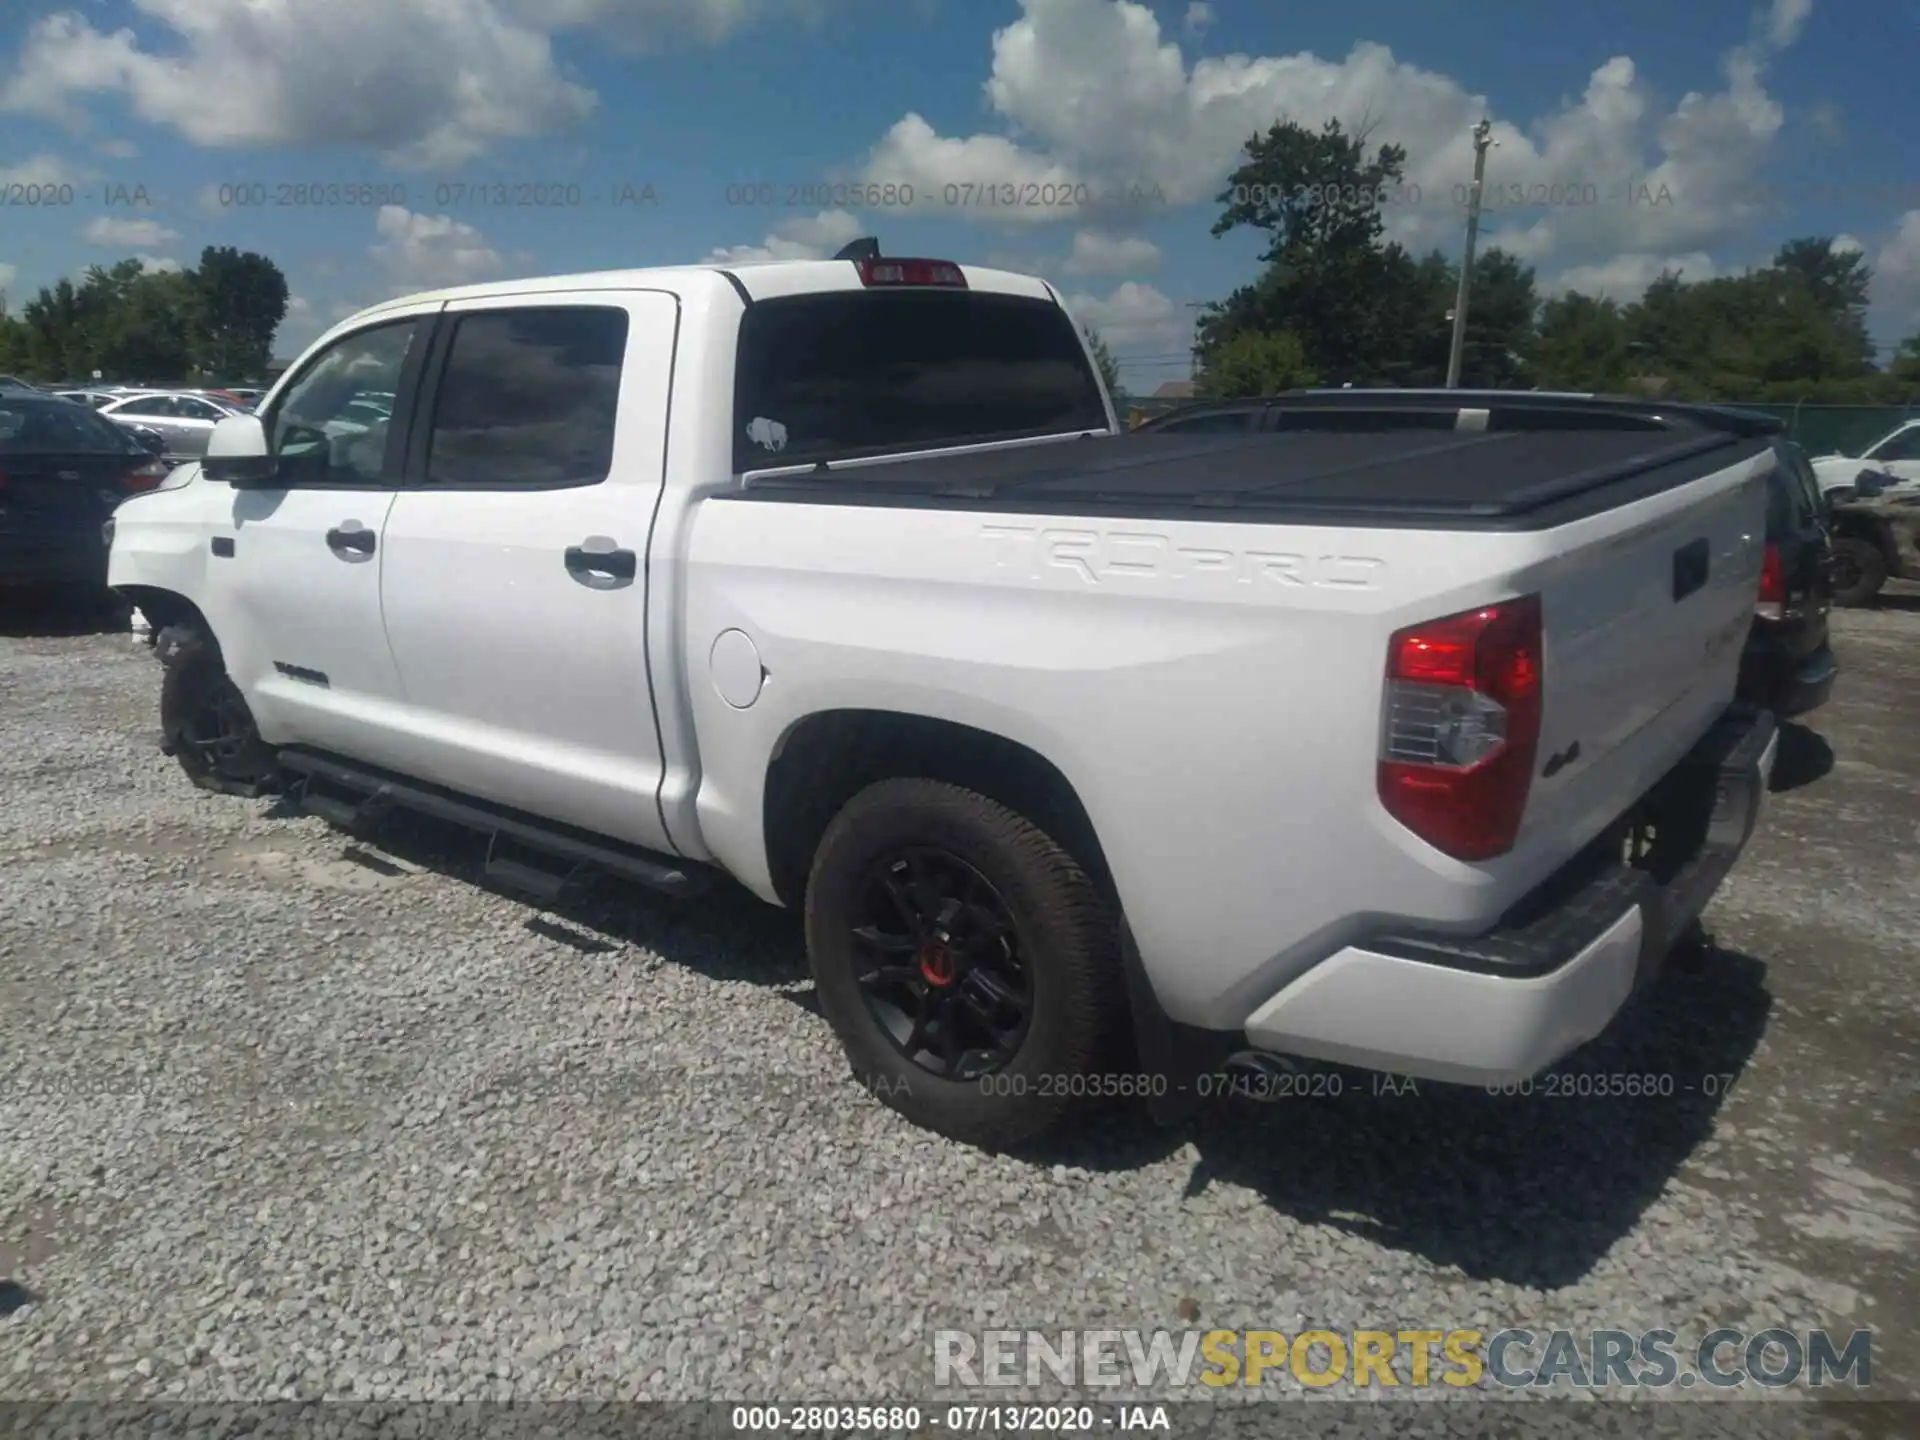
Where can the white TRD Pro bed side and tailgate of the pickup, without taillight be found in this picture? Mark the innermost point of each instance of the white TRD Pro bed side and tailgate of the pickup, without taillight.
(1212, 688)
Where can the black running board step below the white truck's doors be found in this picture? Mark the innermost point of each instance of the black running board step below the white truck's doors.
(358, 798)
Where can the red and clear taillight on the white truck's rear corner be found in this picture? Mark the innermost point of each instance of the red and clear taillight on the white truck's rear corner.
(1462, 727)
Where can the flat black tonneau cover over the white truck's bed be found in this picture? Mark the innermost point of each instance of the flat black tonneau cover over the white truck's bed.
(1378, 458)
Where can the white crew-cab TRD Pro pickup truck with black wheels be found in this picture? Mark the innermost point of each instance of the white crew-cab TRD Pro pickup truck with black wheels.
(1395, 738)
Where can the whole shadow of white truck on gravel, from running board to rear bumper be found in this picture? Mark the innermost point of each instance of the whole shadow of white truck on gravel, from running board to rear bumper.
(1531, 1189)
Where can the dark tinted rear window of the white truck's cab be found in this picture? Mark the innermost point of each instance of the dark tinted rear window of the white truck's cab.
(875, 372)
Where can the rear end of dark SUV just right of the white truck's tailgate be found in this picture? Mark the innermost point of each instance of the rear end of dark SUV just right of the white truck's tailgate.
(1788, 665)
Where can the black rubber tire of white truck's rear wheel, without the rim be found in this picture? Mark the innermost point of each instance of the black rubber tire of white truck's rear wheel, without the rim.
(1068, 940)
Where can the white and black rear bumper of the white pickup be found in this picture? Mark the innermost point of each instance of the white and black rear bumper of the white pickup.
(1500, 1007)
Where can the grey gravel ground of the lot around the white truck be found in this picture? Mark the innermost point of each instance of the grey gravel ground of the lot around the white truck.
(291, 1118)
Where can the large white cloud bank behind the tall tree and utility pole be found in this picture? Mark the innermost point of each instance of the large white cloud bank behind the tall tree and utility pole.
(1099, 95)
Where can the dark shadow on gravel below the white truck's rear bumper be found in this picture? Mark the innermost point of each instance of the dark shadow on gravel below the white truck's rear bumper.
(1533, 1188)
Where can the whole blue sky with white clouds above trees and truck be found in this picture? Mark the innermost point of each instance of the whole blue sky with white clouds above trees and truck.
(665, 132)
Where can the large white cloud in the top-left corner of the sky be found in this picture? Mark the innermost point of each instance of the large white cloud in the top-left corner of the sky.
(427, 82)
